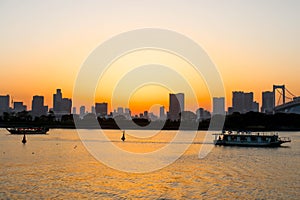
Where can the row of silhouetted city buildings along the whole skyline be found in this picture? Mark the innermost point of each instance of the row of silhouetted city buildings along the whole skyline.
(242, 102)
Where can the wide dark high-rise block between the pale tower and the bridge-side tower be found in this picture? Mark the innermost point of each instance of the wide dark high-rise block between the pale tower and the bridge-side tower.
(243, 102)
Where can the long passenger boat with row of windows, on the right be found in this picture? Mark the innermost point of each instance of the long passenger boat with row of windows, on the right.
(229, 138)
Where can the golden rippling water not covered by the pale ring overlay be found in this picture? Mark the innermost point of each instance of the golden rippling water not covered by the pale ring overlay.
(57, 165)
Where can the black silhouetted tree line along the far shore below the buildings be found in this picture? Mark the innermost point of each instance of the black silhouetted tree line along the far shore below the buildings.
(251, 121)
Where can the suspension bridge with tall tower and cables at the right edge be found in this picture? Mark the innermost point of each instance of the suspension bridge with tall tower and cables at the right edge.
(292, 106)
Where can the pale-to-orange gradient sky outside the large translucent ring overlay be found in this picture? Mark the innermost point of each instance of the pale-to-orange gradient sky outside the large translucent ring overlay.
(254, 44)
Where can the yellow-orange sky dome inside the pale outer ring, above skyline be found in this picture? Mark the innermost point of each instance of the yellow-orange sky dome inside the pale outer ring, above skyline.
(123, 73)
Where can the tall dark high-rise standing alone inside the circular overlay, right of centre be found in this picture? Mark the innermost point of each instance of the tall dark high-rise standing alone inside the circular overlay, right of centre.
(176, 106)
